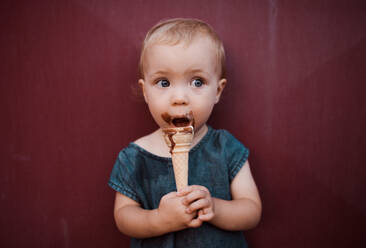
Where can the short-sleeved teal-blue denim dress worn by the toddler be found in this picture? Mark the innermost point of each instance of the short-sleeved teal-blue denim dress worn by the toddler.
(213, 163)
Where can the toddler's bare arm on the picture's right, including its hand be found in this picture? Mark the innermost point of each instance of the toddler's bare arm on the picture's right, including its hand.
(241, 213)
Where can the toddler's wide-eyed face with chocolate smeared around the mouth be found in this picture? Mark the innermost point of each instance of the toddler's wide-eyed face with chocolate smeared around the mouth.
(181, 79)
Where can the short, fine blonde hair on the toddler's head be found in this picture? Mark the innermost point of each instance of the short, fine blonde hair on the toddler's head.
(177, 30)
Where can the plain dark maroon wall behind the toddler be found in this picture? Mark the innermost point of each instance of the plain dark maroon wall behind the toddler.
(296, 98)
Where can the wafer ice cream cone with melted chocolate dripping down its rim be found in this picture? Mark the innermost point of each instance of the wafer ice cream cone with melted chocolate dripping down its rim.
(179, 140)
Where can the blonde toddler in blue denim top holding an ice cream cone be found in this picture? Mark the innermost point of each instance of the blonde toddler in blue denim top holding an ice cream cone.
(182, 72)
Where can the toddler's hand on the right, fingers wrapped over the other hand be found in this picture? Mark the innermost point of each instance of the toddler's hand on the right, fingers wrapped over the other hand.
(198, 198)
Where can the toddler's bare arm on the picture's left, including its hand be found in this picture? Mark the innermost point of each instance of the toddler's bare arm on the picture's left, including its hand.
(137, 222)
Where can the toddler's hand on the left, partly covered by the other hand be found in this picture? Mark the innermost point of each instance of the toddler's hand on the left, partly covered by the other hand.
(173, 213)
